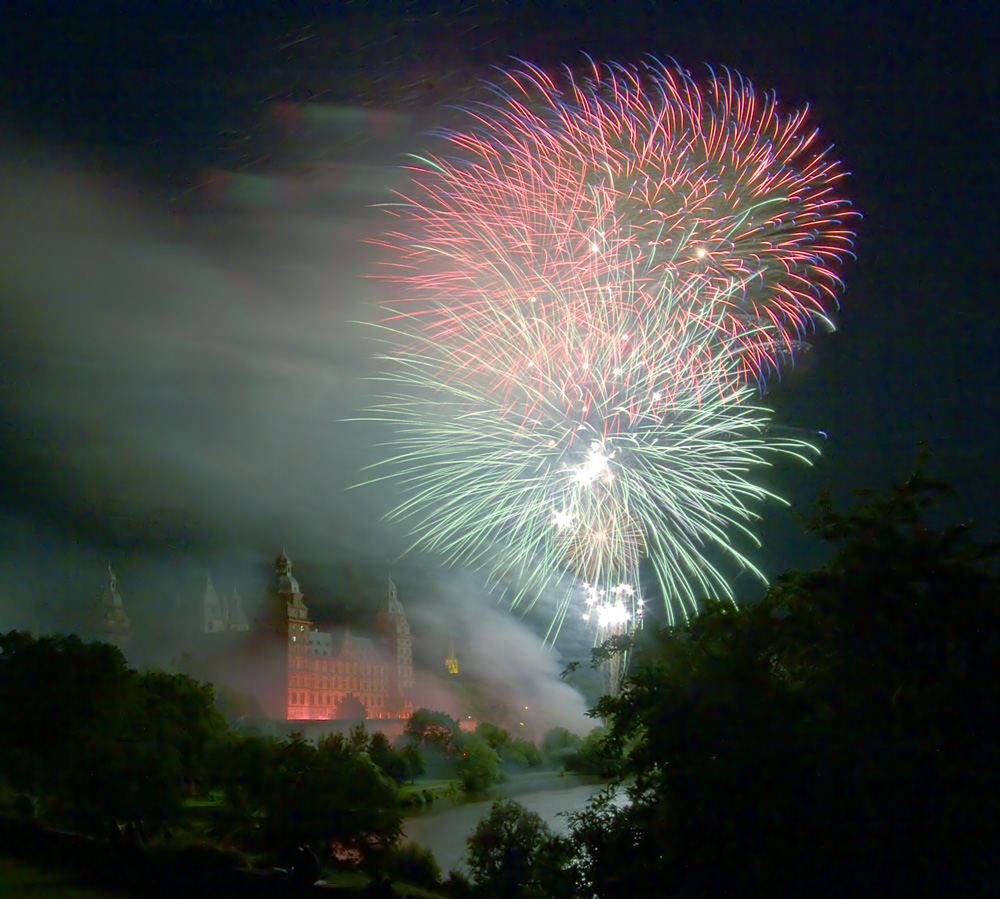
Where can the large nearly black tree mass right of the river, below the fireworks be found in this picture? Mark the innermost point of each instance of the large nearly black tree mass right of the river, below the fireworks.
(829, 740)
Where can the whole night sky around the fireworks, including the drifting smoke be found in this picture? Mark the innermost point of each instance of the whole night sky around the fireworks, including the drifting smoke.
(175, 373)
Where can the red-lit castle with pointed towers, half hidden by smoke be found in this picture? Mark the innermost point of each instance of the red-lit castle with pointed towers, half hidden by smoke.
(311, 675)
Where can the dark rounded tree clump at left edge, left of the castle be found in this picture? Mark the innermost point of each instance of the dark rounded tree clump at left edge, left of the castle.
(139, 741)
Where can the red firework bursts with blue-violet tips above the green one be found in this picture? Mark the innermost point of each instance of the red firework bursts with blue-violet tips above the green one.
(717, 202)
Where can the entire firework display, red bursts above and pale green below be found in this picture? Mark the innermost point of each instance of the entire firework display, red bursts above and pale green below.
(595, 280)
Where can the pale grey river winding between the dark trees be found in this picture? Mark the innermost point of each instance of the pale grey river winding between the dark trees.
(443, 828)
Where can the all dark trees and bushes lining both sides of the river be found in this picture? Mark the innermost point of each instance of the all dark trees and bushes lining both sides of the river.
(826, 740)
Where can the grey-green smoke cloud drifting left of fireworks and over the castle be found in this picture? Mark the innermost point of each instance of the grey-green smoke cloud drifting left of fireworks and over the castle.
(176, 388)
